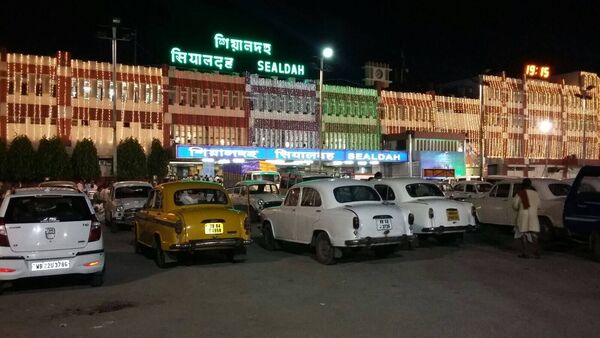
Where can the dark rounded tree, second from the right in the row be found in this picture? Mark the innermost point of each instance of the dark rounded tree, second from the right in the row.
(131, 160)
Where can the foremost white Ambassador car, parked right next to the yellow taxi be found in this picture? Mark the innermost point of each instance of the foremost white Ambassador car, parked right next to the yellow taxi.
(335, 214)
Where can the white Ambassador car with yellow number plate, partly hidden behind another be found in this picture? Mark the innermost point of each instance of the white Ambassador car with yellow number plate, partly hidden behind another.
(434, 214)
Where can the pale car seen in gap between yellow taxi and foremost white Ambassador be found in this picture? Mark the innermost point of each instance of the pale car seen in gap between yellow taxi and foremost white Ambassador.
(255, 195)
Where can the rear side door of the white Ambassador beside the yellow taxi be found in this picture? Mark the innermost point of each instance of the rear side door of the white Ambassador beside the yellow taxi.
(307, 214)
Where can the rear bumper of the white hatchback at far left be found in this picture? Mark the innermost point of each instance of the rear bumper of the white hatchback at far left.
(77, 265)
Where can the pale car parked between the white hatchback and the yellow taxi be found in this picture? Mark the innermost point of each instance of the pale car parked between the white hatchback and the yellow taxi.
(124, 200)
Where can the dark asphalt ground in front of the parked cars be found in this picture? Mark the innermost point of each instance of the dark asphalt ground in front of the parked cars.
(478, 289)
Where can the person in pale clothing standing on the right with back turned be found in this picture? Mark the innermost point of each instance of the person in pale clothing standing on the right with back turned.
(527, 226)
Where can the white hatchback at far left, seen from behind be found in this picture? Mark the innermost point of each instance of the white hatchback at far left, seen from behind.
(49, 231)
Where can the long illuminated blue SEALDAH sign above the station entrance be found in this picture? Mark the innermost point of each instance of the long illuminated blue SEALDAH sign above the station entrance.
(288, 154)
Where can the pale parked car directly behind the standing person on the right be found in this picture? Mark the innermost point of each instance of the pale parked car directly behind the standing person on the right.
(496, 206)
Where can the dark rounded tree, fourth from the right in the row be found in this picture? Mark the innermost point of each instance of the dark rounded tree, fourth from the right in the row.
(53, 154)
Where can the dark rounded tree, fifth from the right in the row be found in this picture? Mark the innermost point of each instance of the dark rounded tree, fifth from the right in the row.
(22, 159)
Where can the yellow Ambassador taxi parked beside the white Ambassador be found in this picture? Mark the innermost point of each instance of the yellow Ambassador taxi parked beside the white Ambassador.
(189, 217)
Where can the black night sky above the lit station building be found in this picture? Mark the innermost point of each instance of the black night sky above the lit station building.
(440, 42)
